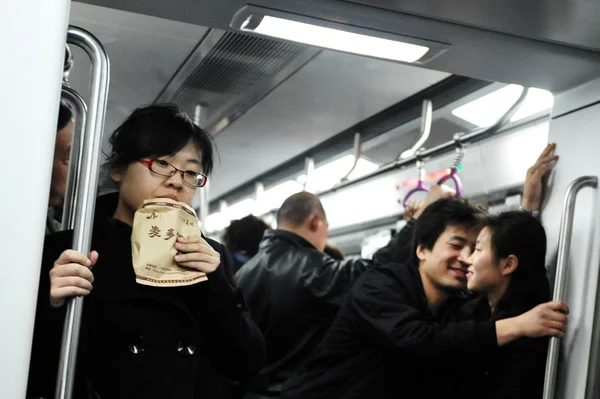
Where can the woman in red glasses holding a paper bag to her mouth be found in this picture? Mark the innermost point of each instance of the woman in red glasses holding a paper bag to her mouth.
(140, 341)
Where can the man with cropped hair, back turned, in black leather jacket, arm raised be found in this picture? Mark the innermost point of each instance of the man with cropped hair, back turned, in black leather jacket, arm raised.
(294, 290)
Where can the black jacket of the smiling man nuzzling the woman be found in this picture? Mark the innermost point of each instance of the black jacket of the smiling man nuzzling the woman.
(384, 343)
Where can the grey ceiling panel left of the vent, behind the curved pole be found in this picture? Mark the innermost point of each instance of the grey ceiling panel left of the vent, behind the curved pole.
(144, 53)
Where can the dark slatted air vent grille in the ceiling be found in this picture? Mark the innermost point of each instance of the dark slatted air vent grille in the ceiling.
(235, 74)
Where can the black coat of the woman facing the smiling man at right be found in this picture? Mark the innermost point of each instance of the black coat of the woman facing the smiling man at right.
(516, 370)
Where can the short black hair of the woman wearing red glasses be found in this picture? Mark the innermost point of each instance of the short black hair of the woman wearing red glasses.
(155, 131)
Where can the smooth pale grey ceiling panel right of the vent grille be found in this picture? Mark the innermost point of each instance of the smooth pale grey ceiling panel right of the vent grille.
(330, 94)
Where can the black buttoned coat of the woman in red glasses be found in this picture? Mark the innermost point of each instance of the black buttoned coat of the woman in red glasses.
(146, 342)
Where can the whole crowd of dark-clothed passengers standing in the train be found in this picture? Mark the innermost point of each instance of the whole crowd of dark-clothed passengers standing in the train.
(456, 305)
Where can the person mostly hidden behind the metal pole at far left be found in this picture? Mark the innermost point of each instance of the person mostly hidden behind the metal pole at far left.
(60, 167)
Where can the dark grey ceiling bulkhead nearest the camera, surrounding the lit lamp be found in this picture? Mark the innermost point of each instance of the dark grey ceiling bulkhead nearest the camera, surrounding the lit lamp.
(472, 27)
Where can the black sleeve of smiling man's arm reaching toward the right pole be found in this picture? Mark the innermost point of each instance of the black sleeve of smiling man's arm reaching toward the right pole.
(385, 313)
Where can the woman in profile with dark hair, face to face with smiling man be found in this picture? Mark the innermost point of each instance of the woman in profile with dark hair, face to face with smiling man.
(507, 267)
